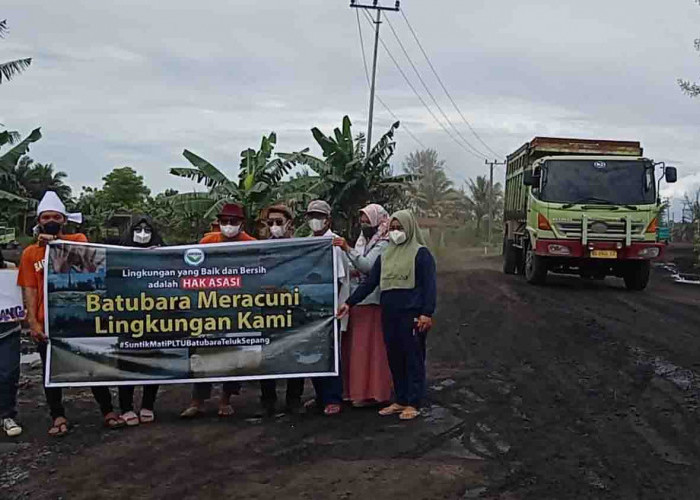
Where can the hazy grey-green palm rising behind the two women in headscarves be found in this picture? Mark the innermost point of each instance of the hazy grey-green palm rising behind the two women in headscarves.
(431, 193)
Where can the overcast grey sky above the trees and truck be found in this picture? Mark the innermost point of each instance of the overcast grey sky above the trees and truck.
(128, 82)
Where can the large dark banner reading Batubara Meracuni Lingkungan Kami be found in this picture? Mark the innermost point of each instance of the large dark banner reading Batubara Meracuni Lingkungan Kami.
(196, 313)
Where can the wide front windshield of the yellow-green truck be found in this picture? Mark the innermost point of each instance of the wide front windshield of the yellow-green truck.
(616, 182)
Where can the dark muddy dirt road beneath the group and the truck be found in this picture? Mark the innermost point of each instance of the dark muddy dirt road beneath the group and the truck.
(575, 390)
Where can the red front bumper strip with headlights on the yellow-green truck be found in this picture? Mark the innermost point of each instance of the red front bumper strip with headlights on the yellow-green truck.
(574, 249)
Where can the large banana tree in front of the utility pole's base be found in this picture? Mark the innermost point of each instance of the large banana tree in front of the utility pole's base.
(348, 178)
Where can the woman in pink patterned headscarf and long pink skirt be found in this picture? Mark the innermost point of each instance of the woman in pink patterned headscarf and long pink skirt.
(366, 375)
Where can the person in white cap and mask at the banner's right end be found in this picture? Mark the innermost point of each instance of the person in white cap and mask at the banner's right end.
(329, 390)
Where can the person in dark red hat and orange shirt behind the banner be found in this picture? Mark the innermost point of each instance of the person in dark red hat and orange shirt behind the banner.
(231, 220)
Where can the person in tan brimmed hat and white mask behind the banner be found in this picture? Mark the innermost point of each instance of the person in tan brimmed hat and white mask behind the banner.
(278, 219)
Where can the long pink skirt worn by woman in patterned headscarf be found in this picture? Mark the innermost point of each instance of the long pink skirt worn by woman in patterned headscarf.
(366, 373)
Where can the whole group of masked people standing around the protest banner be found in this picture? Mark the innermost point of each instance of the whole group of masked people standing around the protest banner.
(387, 292)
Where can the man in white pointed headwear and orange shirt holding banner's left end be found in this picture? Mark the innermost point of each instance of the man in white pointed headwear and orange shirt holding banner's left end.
(52, 217)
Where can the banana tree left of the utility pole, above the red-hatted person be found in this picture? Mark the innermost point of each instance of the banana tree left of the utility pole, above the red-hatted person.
(258, 184)
